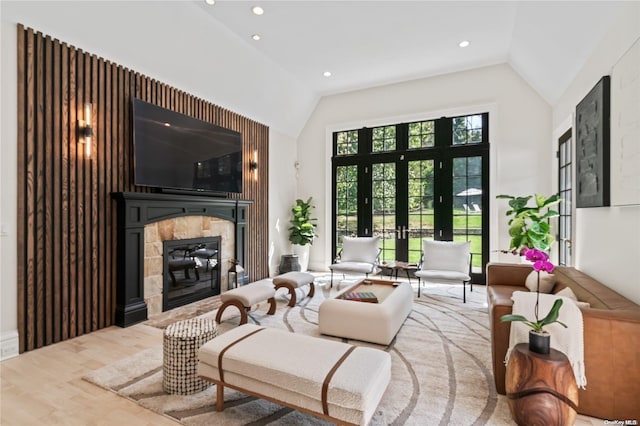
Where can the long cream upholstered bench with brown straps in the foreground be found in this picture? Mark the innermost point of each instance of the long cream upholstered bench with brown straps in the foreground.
(328, 379)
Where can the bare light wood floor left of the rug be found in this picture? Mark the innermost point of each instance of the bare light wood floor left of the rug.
(45, 386)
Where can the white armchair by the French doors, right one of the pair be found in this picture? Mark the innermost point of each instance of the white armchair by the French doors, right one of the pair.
(445, 261)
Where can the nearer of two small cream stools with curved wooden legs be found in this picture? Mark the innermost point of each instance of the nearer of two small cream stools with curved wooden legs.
(246, 296)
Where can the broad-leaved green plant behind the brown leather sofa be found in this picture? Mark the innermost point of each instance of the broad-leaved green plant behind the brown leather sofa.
(528, 225)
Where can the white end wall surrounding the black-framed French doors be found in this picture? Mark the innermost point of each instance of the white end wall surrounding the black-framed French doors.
(520, 136)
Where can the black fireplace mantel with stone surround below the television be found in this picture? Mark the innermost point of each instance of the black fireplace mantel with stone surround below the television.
(146, 220)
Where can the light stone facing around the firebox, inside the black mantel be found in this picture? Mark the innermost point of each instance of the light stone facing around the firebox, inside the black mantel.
(178, 229)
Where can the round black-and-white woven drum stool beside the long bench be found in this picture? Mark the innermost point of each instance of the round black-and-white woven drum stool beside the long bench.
(180, 355)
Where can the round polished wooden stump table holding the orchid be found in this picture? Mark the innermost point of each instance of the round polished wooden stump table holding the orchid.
(542, 389)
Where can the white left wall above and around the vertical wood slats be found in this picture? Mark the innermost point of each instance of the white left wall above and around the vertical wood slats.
(203, 58)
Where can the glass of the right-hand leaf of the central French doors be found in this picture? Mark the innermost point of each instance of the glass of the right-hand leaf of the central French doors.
(420, 206)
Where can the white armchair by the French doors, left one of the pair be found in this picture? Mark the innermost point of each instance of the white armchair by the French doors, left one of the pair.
(359, 255)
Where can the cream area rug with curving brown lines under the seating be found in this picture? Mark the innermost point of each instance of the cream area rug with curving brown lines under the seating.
(441, 368)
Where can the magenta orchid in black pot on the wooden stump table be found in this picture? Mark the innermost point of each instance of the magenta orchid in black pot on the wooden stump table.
(539, 339)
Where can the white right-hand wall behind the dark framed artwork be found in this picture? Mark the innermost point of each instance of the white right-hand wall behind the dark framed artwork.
(607, 239)
